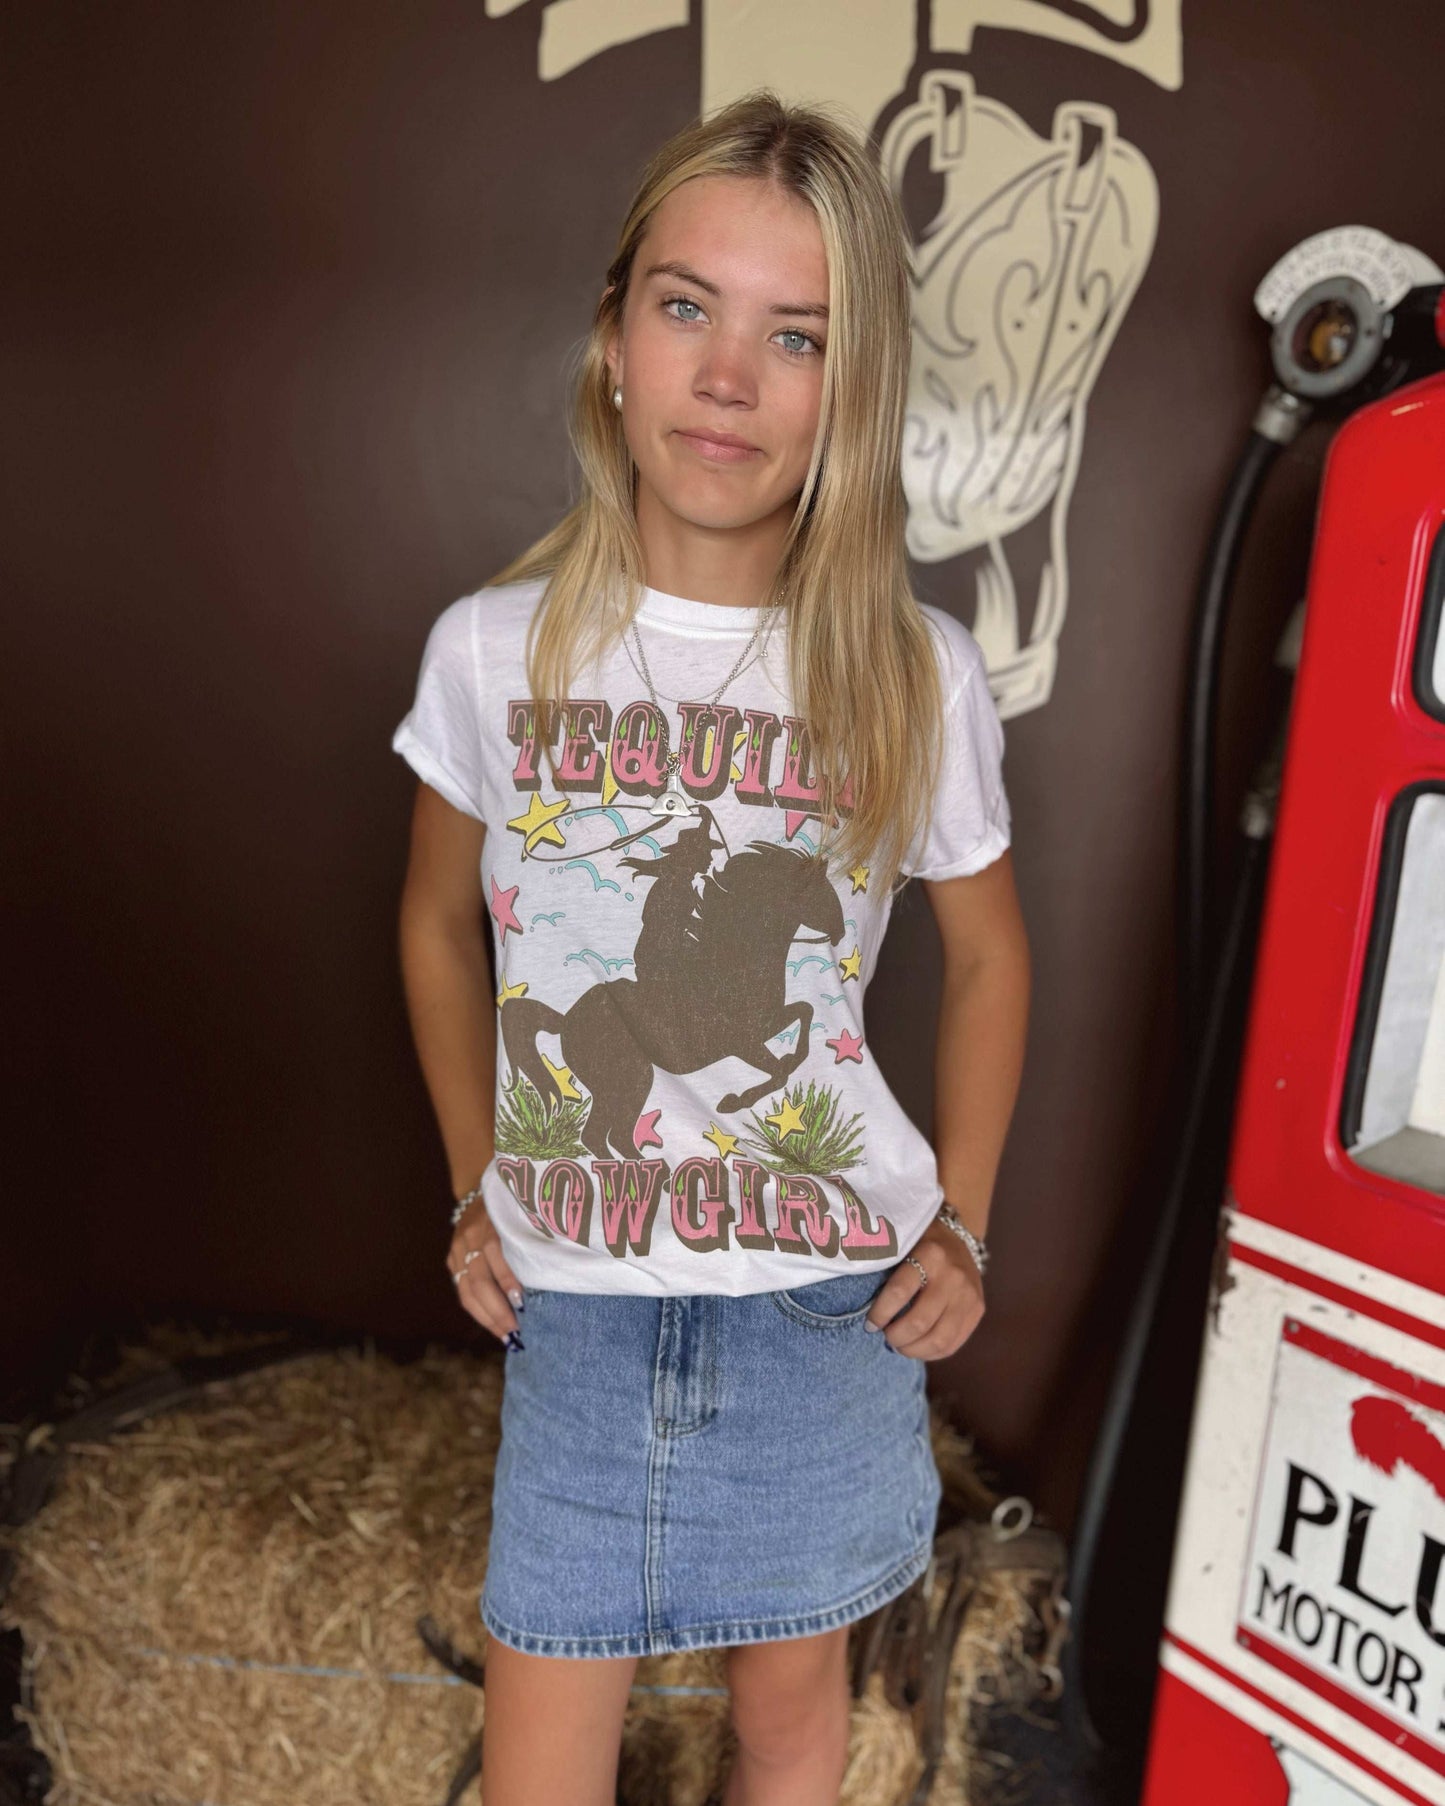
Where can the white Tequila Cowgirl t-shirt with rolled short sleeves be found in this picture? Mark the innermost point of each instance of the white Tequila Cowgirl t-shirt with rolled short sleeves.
(685, 1095)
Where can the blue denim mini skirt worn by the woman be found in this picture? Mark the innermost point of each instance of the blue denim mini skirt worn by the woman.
(702, 1471)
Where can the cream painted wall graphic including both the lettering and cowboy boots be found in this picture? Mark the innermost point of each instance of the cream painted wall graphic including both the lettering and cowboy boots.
(1021, 279)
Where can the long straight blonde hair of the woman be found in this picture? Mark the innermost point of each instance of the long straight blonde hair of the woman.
(861, 658)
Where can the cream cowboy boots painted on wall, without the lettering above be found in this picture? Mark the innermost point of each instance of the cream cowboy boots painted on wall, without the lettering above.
(1021, 284)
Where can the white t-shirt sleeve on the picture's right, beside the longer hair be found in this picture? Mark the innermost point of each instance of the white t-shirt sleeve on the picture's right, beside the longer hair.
(973, 823)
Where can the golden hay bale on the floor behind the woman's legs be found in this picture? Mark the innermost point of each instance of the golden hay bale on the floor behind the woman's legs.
(221, 1605)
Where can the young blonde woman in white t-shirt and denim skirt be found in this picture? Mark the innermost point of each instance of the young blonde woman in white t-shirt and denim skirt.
(682, 754)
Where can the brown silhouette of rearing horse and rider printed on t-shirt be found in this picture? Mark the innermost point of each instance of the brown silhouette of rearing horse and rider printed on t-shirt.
(711, 983)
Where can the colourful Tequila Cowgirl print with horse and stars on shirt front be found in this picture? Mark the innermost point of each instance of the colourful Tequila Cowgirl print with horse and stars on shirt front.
(714, 947)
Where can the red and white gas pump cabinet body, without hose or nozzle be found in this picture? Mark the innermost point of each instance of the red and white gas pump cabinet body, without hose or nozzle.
(1303, 1652)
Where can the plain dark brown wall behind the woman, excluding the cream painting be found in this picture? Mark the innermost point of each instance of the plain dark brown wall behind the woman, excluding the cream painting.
(286, 303)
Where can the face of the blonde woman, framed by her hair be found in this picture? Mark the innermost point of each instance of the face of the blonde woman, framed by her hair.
(729, 340)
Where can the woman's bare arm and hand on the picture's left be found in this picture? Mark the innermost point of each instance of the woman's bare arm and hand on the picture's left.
(442, 942)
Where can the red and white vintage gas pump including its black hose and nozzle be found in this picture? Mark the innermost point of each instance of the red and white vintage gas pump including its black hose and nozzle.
(1303, 1652)
